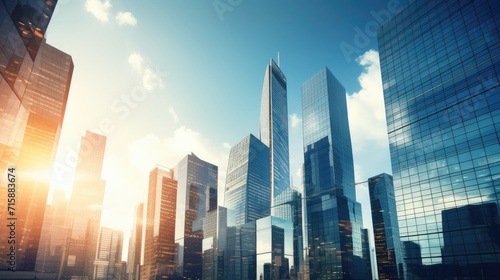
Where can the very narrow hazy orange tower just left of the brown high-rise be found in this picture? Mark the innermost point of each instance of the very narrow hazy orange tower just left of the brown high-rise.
(135, 245)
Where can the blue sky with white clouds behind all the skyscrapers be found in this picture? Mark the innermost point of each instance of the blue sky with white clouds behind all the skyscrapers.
(163, 78)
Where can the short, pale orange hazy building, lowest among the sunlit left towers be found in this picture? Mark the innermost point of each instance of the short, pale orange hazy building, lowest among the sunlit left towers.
(108, 260)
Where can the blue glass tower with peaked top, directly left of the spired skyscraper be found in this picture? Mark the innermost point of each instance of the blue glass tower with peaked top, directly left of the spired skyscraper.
(247, 199)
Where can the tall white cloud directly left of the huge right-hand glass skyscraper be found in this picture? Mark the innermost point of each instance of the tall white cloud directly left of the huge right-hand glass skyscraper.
(367, 121)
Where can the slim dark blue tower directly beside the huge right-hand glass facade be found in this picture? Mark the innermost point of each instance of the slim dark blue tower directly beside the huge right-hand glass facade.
(385, 226)
